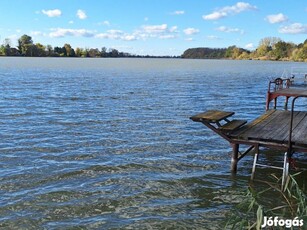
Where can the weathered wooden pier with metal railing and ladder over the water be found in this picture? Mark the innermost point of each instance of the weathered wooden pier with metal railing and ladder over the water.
(277, 129)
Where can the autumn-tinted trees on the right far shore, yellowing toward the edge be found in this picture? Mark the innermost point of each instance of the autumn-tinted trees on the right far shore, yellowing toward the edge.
(270, 48)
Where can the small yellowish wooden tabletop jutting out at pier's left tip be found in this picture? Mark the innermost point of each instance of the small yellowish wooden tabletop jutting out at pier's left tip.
(211, 116)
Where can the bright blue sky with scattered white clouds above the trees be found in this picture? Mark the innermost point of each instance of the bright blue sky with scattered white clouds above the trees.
(155, 27)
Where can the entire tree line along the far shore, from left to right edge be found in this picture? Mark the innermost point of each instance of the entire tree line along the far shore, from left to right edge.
(270, 48)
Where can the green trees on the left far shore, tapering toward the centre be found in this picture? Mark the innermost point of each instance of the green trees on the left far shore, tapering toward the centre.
(27, 48)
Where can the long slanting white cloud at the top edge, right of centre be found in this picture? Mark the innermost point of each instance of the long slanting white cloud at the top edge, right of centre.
(229, 10)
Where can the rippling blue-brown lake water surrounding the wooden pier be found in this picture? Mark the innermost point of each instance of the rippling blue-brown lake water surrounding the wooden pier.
(108, 144)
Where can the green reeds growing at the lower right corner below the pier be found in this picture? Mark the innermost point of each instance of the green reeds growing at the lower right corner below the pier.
(251, 211)
